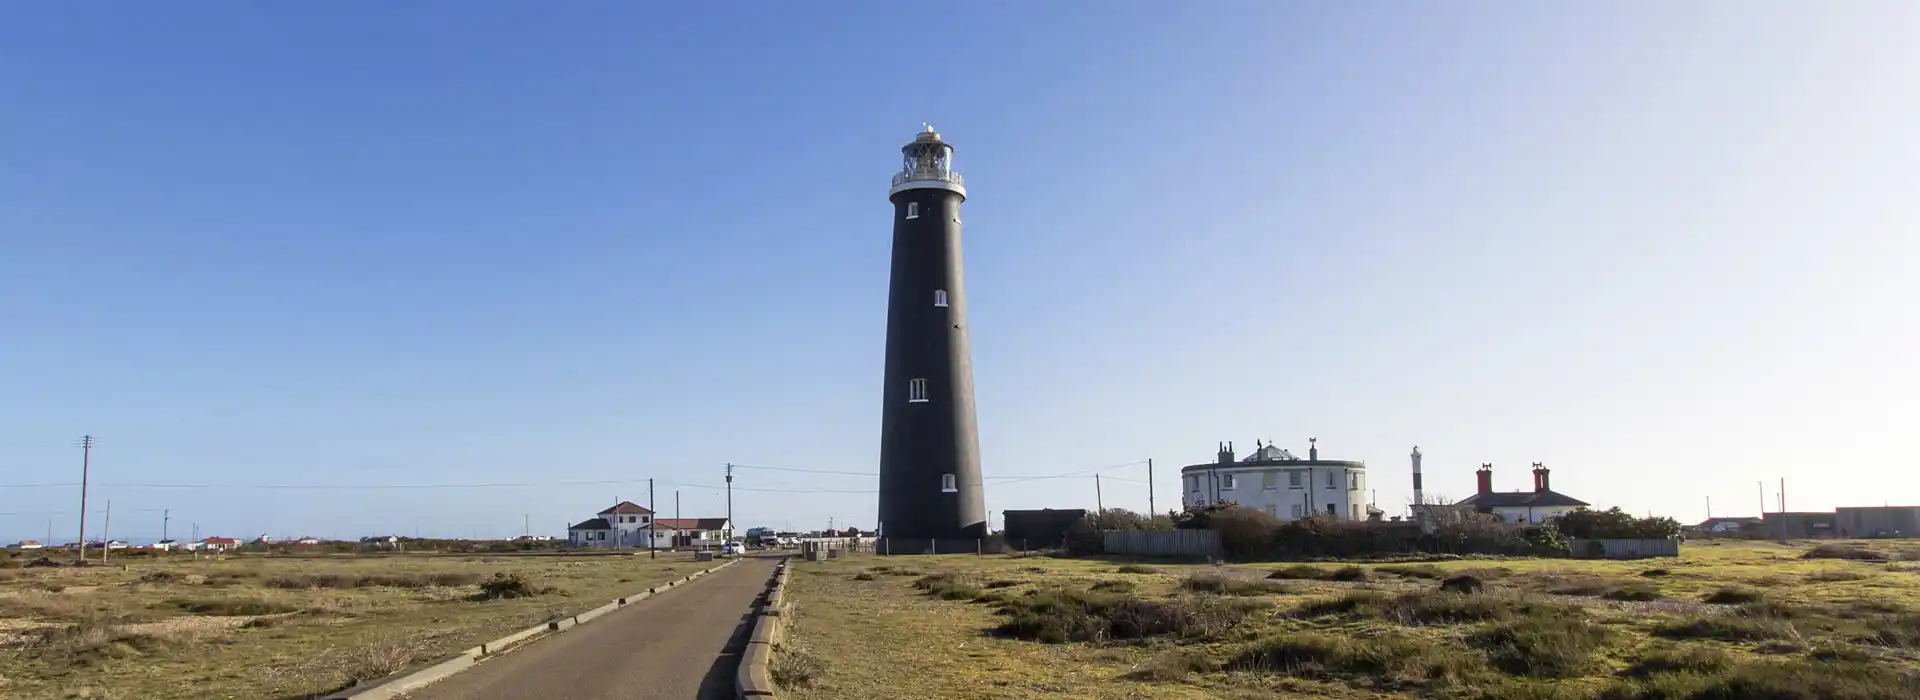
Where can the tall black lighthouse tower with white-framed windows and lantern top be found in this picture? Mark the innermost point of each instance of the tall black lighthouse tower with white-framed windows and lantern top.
(930, 484)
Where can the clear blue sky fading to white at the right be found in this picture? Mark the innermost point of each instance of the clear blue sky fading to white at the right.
(1666, 248)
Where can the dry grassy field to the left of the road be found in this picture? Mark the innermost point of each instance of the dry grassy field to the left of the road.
(276, 628)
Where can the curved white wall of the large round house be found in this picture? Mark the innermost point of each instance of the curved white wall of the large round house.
(1272, 490)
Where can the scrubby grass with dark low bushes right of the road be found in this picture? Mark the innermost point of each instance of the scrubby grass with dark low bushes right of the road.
(1539, 630)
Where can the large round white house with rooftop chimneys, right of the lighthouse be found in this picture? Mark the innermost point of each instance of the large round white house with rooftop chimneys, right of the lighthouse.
(1282, 484)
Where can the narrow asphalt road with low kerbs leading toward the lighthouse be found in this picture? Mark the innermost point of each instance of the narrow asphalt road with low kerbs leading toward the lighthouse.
(679, 645)
